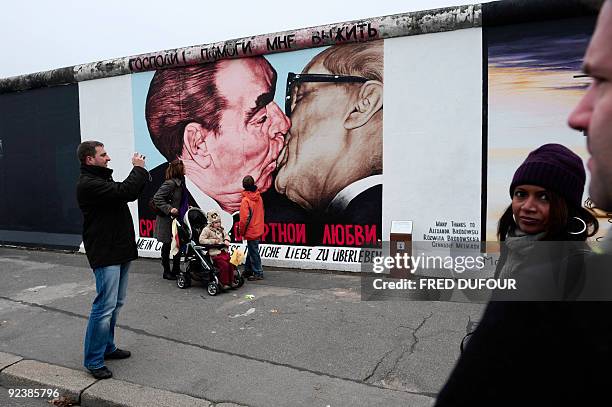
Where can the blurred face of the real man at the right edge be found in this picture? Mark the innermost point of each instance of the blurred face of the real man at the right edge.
(593, 114)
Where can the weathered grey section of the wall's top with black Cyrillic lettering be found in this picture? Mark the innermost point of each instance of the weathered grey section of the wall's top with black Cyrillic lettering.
(369, 29)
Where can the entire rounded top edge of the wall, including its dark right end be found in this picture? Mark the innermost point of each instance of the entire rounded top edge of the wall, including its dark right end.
(370, 29)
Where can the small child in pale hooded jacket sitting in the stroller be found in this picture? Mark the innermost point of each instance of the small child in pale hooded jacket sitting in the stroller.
(214, 233)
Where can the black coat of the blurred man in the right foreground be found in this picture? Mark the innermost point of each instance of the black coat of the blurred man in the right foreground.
(540, 353)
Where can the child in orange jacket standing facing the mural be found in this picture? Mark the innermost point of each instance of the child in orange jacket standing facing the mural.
(251, 226)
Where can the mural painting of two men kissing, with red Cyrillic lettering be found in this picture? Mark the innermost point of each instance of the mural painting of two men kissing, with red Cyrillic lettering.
(307, 125)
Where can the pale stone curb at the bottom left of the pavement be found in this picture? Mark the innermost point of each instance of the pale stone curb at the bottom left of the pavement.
(81, 388)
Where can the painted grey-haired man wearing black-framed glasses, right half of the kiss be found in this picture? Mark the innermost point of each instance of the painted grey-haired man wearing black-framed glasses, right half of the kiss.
(333, 152)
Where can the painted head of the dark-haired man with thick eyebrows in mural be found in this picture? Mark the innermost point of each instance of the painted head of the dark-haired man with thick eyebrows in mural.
(221, 121)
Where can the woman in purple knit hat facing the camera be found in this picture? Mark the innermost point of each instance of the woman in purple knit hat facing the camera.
(545, 224)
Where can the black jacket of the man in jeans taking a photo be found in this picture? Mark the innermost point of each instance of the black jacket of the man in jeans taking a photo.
(108, 230)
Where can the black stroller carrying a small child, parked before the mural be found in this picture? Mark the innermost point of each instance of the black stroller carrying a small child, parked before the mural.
(198, 264)
